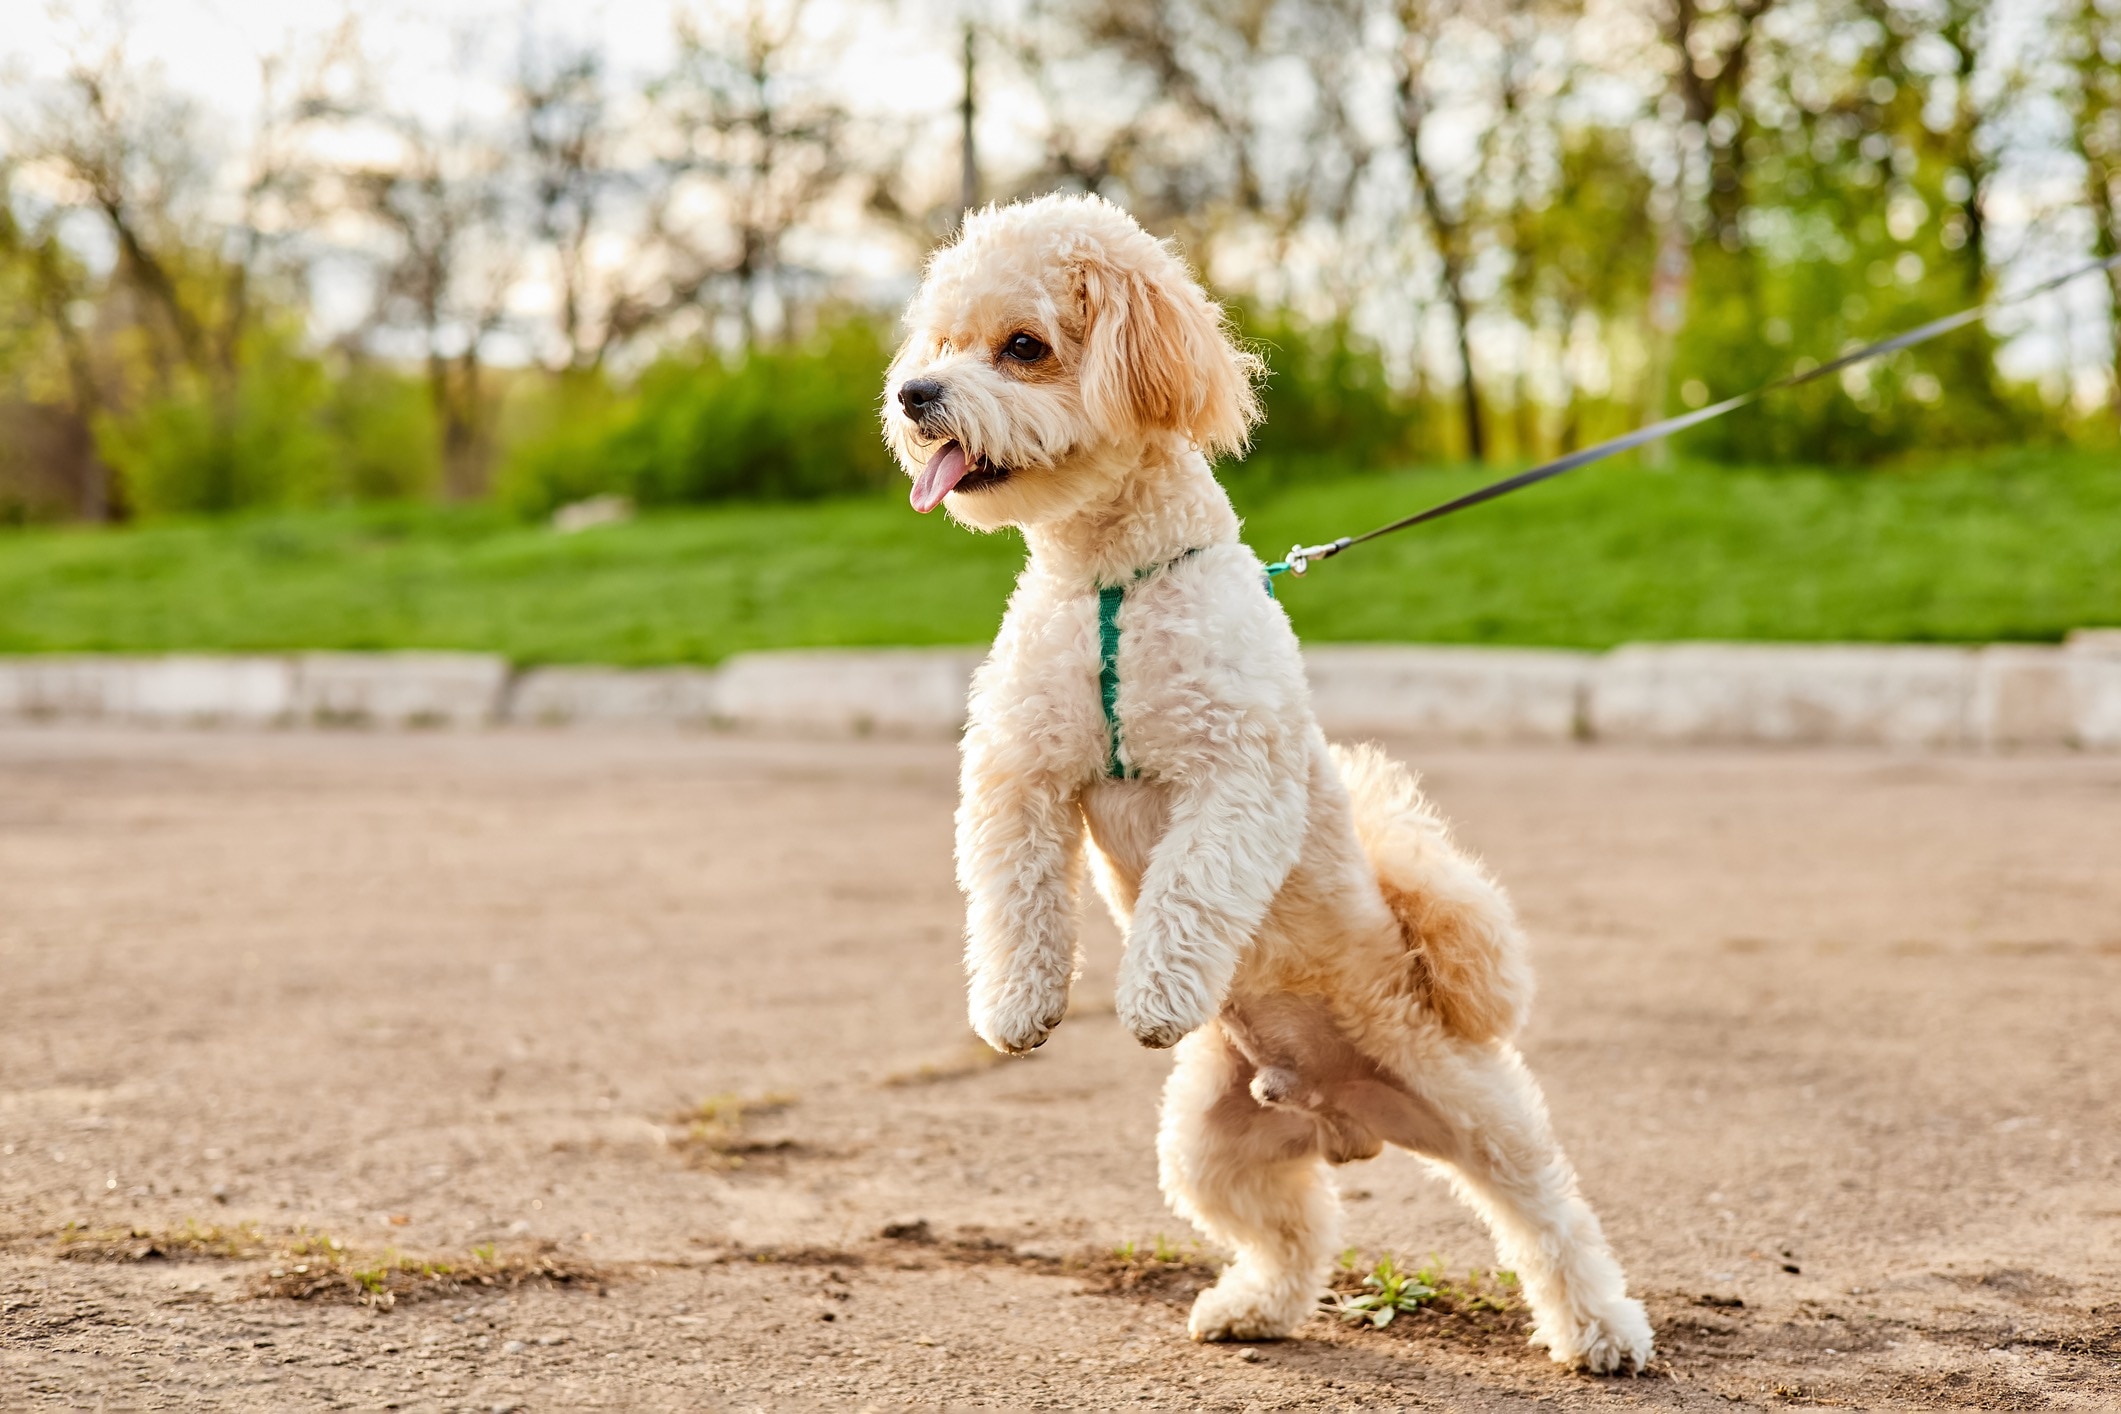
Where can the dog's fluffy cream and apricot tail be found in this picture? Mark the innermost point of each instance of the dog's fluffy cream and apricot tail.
(1462, 938)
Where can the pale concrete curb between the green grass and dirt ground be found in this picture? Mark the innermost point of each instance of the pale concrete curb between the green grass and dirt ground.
(1906, 696)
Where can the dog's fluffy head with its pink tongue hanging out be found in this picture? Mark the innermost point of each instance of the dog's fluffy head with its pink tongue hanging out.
(1045, 349)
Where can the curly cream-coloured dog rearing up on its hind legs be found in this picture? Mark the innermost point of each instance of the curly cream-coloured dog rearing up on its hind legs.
(1333, 972)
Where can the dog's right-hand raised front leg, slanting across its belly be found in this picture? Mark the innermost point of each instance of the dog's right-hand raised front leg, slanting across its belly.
(1233, 838)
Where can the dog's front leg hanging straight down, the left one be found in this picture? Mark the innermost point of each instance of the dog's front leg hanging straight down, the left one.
(1019, 862)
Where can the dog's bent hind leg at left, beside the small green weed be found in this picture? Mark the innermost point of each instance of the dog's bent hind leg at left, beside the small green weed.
(1252, 1180)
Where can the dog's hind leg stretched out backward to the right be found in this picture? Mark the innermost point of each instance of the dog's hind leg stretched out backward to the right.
(1505, 1163)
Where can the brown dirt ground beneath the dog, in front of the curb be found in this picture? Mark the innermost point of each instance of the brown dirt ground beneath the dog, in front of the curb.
(629, 1072)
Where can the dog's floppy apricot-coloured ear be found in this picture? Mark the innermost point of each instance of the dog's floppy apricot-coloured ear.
(1157, 355)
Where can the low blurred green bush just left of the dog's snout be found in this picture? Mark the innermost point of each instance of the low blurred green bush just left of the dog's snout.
(777, 425)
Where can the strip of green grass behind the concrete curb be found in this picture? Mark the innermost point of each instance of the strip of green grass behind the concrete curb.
(2022, 546)
